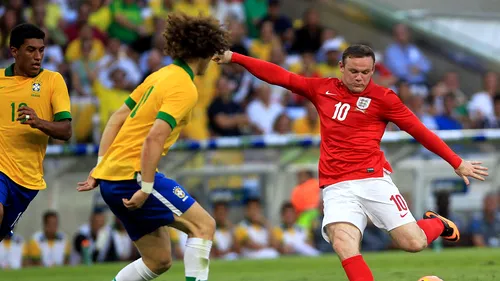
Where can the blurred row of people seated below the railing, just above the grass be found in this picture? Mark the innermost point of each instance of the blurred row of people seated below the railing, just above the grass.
(243, 231)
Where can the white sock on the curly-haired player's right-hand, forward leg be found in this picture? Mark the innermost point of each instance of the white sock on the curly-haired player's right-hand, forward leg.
(197, 259)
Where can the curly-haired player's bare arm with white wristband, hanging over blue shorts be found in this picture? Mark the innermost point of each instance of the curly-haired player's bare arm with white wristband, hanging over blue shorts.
(152, 150)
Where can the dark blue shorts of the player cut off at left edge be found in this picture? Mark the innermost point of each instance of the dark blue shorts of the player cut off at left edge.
(15, 200)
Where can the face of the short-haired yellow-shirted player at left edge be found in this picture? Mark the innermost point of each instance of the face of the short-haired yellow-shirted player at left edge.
(29, 56)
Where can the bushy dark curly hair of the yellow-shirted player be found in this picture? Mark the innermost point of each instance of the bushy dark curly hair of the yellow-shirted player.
(194, 37)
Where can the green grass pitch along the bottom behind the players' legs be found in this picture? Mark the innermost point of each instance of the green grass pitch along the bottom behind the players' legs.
(450, 265)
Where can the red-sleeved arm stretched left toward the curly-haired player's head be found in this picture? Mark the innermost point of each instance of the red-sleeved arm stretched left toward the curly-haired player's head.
(268, 72)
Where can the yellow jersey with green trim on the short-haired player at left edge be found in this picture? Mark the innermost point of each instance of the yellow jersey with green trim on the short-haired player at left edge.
(22, 148)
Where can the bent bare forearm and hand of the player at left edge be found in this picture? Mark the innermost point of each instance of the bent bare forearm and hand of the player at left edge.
(60, 130)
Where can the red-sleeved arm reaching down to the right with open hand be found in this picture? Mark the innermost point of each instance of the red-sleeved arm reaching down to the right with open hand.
(400, 115)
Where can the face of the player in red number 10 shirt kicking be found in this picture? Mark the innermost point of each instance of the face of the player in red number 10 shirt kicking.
(356, 73)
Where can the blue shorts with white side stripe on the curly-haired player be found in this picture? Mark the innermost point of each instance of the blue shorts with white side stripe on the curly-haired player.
(167, 199)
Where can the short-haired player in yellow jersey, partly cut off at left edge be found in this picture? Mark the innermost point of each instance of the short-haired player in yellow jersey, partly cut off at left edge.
(35, 106)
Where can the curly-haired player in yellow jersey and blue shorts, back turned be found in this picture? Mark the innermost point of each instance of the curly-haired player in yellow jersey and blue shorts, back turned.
(136, 137)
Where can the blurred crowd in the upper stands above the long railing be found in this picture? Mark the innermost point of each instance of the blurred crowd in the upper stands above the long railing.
(105, 48)
